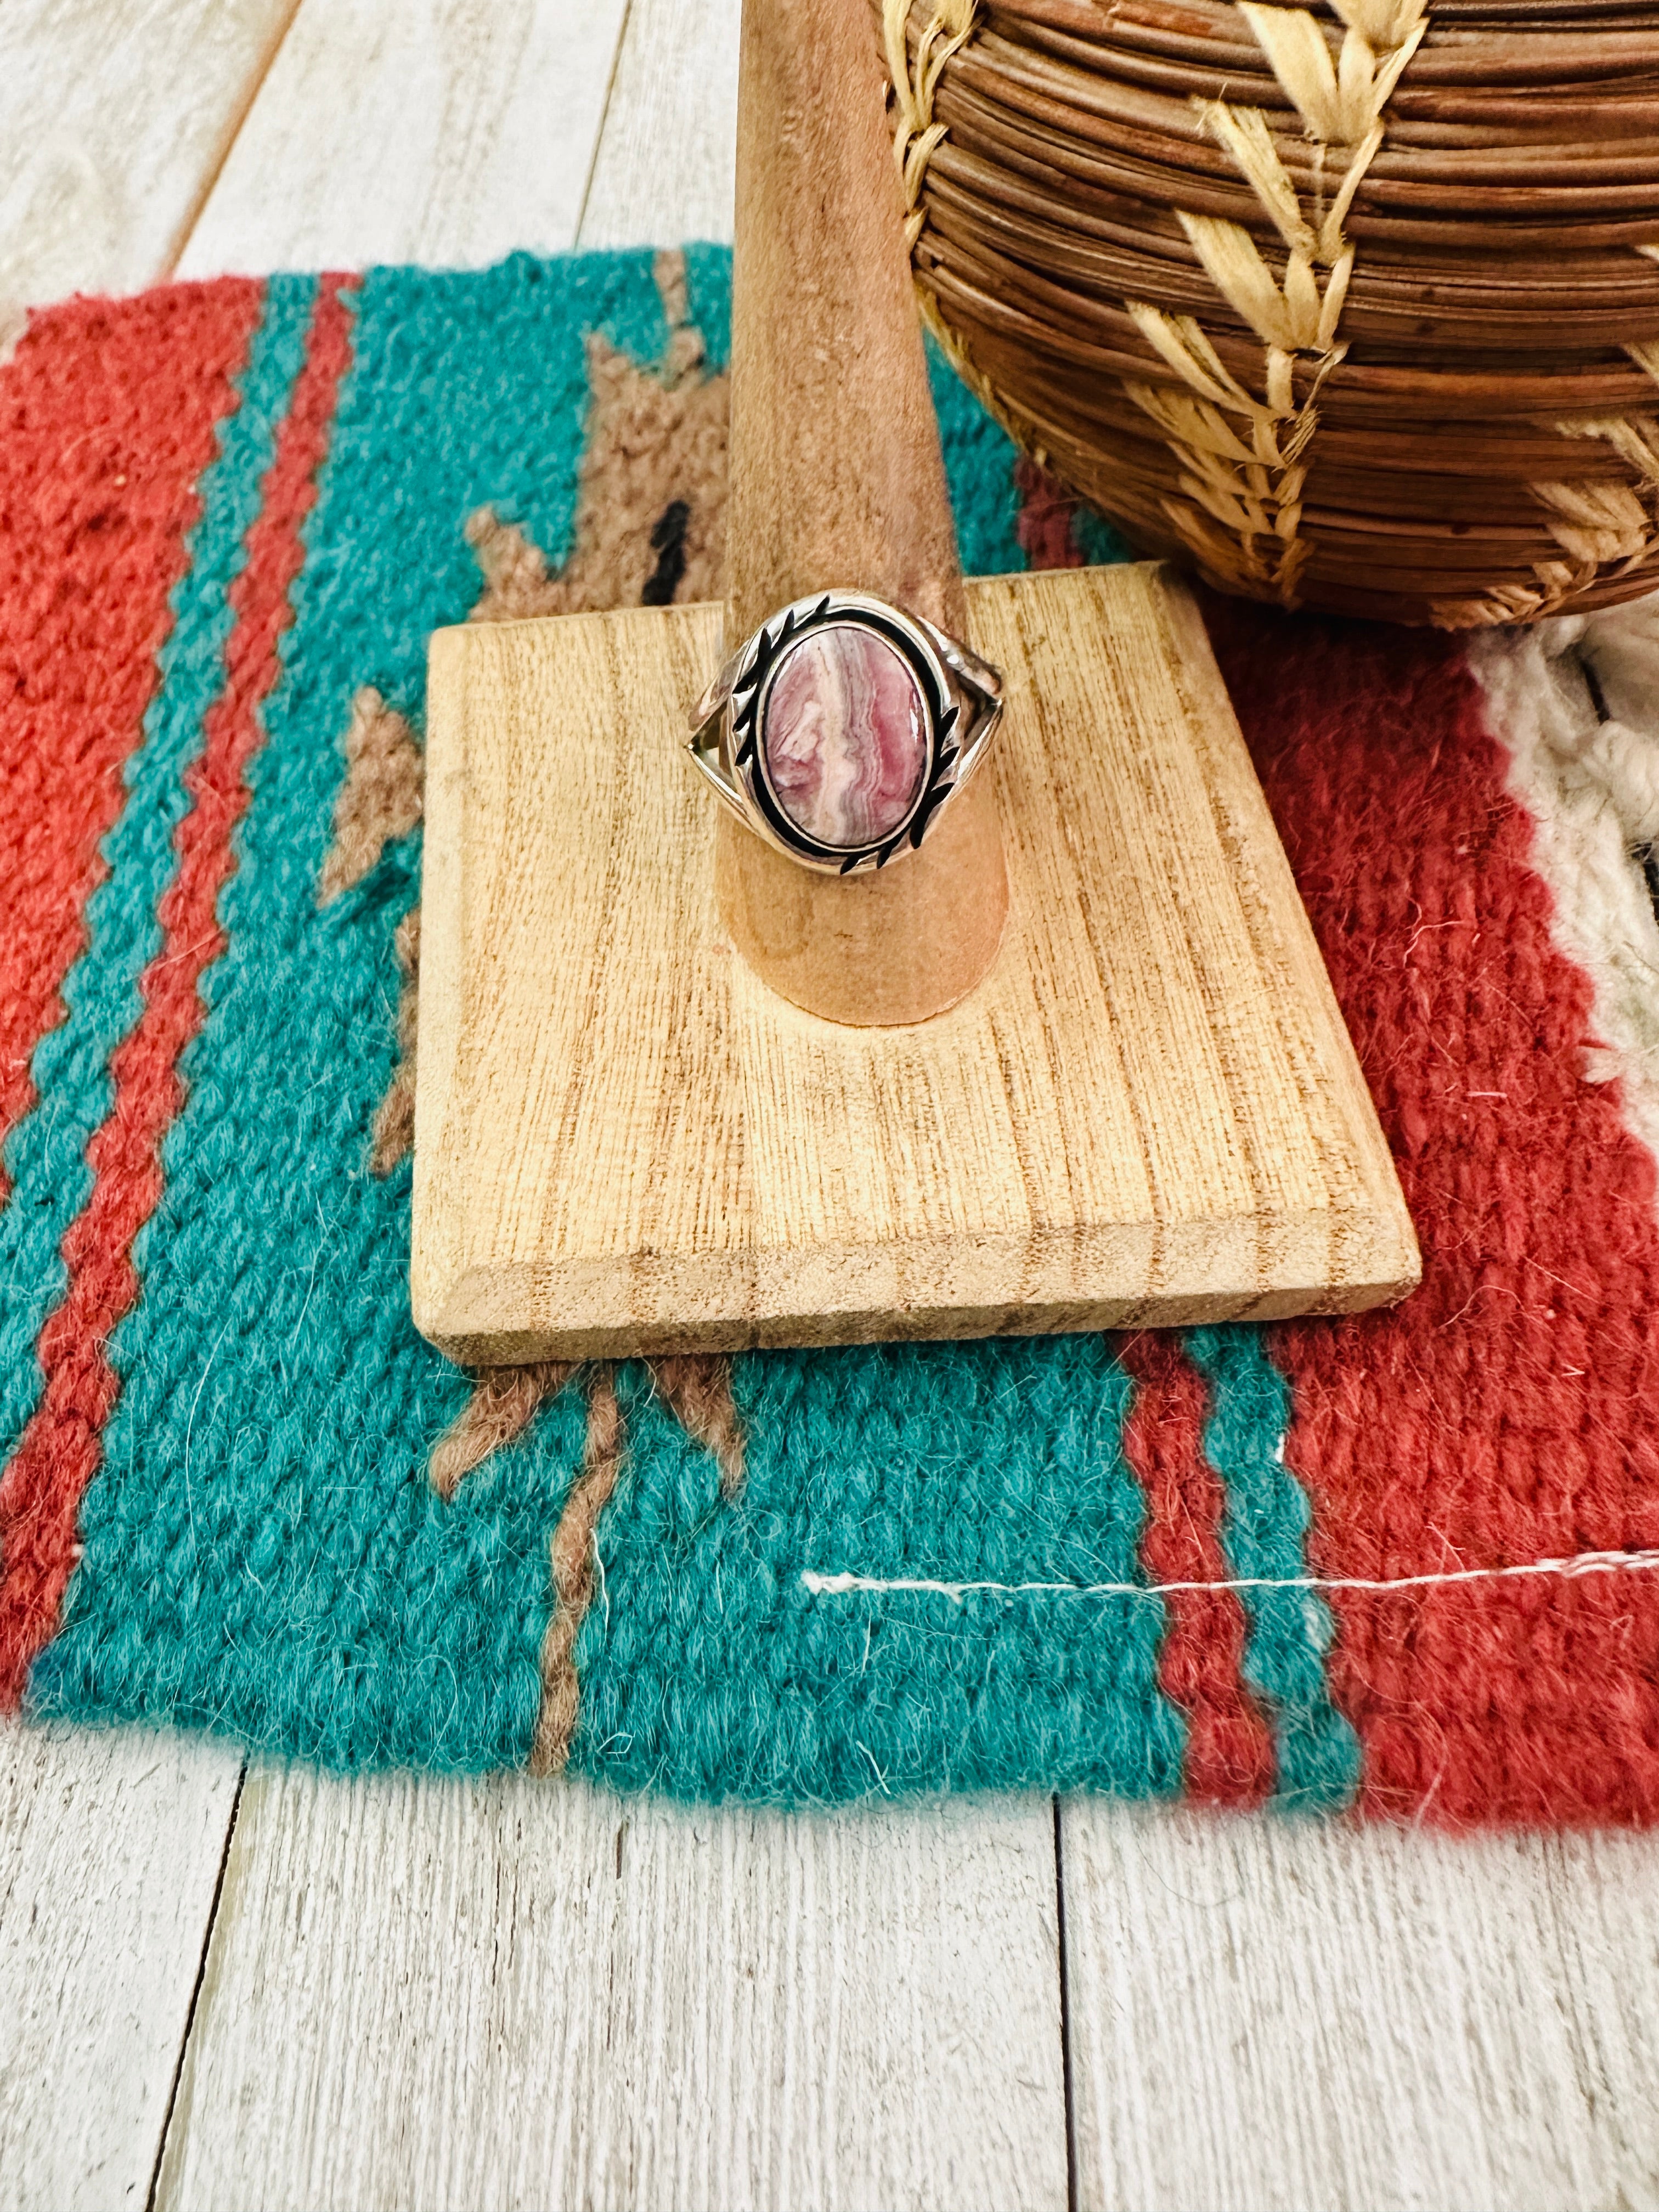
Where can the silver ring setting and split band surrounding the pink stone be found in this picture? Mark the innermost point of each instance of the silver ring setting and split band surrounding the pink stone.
(961, 698)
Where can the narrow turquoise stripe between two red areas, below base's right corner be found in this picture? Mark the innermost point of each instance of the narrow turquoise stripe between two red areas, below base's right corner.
(1264, 1534)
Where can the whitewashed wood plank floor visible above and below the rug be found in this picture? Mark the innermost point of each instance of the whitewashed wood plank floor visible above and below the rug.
(300, 1992)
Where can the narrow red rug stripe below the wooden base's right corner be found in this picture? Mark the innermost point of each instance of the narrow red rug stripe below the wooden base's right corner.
(1229, 1755)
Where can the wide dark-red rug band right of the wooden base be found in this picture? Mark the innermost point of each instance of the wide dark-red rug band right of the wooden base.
(1512, 1408)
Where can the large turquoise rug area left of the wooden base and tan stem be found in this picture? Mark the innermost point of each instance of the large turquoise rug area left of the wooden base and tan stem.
(264, 1552)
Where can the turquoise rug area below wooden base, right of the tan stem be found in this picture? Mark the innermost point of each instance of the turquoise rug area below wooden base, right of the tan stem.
(711, 1671)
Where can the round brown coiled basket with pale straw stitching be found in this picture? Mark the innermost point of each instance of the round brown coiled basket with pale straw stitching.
(1346, 306)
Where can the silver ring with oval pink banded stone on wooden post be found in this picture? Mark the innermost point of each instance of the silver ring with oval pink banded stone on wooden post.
(844, 727)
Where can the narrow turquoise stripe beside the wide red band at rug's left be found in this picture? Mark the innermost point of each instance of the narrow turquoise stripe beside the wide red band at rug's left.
(74, 1092)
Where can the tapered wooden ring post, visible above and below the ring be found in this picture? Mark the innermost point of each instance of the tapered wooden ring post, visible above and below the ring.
(837, 479)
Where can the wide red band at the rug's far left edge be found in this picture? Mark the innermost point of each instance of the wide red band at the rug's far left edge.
(107, 421)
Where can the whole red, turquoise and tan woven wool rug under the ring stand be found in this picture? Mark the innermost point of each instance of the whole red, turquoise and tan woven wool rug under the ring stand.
(1401, 1563)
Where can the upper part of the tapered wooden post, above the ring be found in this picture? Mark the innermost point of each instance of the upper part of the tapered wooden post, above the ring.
(837, 472)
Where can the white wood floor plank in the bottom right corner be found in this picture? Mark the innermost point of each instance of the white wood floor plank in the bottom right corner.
(1273, 2014)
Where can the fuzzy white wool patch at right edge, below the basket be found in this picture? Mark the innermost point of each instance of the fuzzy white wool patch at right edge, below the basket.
(1592, 791)
